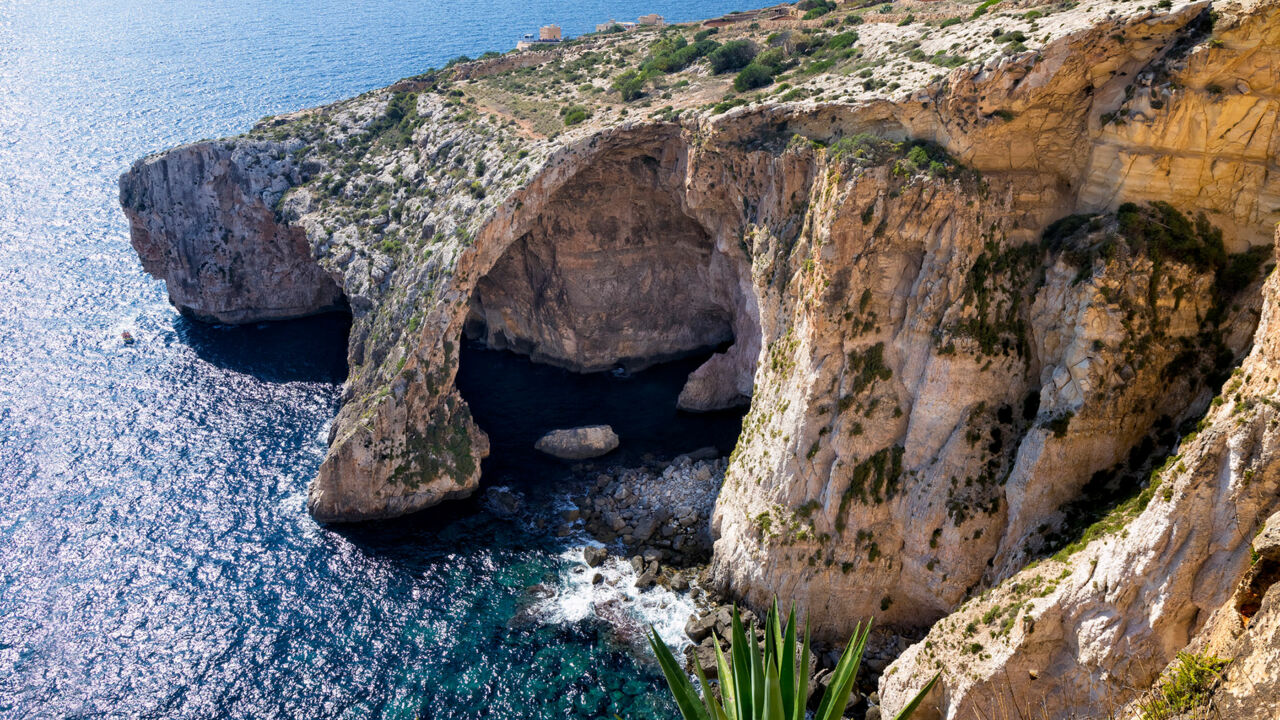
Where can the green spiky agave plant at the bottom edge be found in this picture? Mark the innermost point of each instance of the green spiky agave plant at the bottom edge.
(771, 682)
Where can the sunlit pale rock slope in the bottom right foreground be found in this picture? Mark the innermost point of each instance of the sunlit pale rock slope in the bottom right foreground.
(1086, 632)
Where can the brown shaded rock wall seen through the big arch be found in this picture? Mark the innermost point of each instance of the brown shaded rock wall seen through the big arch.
(611, 272)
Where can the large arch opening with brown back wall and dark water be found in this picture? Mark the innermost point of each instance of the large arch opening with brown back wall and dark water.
(614, 306)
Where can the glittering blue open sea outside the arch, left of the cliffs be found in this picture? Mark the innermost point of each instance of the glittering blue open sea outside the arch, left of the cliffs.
(156, 555)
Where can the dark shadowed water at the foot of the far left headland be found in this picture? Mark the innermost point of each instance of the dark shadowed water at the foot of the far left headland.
(310, 350)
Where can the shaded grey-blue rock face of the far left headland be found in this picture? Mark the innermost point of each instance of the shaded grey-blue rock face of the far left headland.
(203, 220)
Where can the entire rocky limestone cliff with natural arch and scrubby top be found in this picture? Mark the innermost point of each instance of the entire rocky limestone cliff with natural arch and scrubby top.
(961, 327)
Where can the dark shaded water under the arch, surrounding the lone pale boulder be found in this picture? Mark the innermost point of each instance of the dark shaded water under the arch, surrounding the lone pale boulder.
(516, 402)
